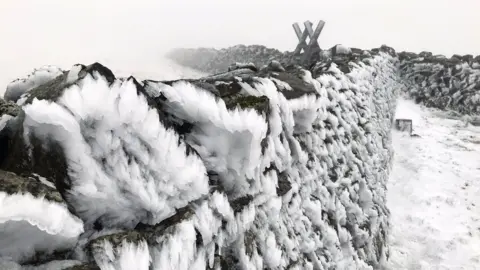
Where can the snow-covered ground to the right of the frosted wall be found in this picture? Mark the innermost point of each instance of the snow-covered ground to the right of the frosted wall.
(434, 193)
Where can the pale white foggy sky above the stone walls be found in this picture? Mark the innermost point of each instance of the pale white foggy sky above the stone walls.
(131, 36)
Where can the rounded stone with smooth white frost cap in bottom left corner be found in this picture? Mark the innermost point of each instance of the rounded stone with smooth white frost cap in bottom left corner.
(34, 220)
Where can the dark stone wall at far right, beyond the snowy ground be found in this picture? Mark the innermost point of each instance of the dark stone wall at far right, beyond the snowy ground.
(444, 83)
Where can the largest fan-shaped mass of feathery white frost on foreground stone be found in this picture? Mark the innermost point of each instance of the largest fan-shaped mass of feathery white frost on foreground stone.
(138, 170)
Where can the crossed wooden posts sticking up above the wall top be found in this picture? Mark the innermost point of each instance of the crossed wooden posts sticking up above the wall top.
(312, 45)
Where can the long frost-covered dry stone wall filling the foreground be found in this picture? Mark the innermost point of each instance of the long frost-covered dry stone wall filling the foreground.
(276, 168)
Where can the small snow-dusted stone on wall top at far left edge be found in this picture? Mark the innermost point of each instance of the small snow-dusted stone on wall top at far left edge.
(38, 77)
